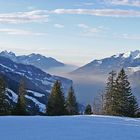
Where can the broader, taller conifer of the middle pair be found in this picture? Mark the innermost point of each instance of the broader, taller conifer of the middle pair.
(56, 101)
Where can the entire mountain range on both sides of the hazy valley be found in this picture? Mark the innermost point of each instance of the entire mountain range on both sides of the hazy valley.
(89, 80)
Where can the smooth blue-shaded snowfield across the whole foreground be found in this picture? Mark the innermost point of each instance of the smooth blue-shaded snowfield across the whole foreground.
(69, 128)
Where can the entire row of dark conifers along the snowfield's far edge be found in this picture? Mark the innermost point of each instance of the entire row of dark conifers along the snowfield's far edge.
(117, 99)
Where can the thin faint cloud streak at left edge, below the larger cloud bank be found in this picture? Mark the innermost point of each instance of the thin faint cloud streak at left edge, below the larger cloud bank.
(20, 32)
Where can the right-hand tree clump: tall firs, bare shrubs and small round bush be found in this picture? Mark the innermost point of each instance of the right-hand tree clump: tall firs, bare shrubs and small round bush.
(117, 100)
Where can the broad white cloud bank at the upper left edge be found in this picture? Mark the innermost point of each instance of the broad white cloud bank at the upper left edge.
(37, 16)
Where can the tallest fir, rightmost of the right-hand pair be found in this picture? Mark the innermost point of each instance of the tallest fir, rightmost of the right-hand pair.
(126, 102)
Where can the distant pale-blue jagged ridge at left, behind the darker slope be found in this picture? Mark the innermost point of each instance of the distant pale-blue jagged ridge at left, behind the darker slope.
(37, 60)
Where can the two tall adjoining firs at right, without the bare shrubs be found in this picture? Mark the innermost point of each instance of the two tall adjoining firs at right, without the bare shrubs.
(119, 99)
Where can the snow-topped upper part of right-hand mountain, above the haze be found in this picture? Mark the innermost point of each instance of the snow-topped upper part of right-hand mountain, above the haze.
(130, 61)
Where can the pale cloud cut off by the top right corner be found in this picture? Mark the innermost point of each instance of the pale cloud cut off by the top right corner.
(124, 2)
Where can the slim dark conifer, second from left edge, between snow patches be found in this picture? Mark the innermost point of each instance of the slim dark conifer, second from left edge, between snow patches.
(20, 108)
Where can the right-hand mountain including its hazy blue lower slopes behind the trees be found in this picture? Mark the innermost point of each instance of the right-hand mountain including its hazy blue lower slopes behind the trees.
(90, 79)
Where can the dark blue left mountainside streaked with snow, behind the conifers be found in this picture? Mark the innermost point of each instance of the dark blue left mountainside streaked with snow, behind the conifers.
(38, 83)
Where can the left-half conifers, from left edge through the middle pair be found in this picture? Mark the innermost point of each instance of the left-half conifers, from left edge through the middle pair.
(56, 105)
